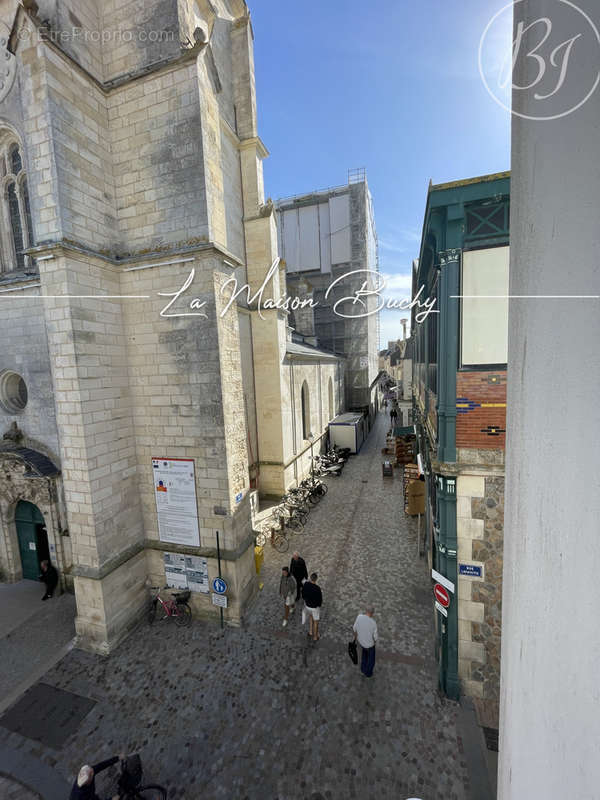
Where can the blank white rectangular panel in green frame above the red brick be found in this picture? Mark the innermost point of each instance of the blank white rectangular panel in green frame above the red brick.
(485, 321)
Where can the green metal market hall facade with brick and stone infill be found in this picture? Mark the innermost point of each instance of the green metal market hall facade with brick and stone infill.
(458, 435)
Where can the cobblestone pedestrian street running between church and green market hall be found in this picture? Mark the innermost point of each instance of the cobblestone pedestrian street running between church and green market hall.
(261, 712)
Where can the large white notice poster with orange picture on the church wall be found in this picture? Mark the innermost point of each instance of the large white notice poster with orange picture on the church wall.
(175, 495)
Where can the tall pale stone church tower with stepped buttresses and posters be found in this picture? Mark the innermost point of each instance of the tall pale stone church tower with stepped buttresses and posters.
(130, 166)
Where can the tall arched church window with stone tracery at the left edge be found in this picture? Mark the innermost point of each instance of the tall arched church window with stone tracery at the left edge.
(16, 231)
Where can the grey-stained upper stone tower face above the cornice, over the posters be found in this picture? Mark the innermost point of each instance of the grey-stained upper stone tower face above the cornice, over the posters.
(157, 151)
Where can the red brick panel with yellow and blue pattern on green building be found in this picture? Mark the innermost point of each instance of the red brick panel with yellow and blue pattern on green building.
(481, 409)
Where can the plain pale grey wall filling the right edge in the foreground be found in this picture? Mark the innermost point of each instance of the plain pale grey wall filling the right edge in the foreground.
(550, 693)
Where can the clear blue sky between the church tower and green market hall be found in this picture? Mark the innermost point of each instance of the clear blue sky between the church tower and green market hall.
(387, 85)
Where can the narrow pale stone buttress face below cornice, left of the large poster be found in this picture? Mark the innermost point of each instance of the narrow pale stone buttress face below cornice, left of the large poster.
(93, 407)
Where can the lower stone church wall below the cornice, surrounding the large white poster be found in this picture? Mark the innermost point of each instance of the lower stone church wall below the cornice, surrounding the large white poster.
(184, 373)
